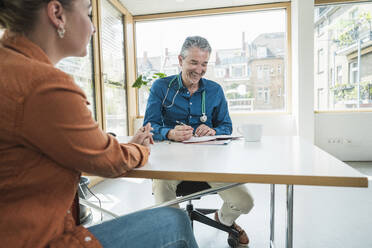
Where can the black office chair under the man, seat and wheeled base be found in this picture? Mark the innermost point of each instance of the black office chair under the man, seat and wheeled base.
(189, 187)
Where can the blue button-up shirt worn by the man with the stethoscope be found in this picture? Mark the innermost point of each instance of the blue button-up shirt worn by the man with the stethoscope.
(186, 109)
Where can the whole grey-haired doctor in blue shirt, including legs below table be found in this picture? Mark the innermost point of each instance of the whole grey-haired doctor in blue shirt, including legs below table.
(186, 104)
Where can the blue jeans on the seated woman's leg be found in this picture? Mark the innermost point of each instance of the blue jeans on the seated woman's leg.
(158, 228)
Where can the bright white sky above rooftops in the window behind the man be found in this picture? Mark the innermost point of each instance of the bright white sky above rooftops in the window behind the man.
(222, 31)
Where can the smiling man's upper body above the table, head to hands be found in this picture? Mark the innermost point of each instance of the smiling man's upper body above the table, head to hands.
(187, 98)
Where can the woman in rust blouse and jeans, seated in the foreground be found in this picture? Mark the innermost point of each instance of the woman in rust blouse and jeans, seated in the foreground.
(48, 137)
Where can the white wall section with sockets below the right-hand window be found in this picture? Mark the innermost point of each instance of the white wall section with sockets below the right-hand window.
(347, 136)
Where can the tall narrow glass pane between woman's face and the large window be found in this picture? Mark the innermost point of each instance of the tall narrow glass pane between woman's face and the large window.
(114, 70)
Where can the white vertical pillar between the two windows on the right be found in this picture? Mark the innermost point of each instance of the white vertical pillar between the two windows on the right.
(303, 67)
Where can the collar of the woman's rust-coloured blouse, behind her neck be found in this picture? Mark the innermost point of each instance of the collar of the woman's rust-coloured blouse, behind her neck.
(22, 45)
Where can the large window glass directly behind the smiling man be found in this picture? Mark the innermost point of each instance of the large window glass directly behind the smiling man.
(248, 60)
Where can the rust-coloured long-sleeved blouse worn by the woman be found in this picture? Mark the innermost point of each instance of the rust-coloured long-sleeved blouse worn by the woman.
(47, 138)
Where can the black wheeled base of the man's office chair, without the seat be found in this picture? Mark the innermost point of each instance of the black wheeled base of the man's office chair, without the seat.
(198, 215)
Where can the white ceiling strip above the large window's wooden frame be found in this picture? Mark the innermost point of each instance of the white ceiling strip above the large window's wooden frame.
(144, 7)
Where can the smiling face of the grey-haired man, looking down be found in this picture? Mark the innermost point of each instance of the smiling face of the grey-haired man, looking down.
(194, 65)
